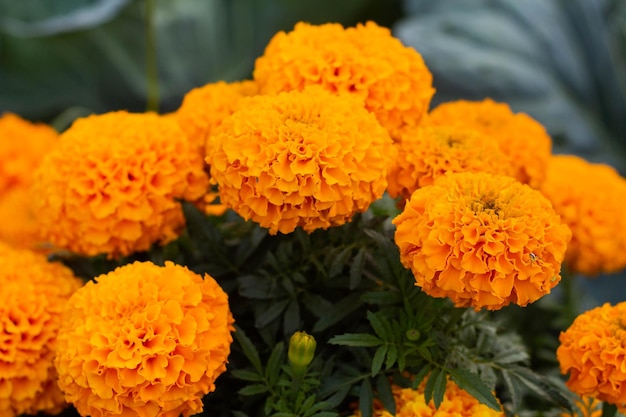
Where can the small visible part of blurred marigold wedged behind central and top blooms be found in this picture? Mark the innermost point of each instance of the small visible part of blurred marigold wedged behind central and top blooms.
(204, 108)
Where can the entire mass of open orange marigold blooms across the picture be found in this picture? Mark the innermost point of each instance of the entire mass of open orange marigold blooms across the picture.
(333, 118)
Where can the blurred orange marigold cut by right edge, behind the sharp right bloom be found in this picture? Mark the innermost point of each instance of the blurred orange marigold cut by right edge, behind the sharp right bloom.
(590, 199)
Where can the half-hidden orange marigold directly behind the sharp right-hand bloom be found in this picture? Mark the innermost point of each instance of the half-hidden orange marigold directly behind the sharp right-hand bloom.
(428, 152)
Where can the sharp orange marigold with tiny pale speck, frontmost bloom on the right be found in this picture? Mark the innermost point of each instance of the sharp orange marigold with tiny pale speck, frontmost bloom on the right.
(482, 240)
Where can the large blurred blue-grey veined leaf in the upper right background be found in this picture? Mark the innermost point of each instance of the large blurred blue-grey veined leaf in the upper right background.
(554, 59)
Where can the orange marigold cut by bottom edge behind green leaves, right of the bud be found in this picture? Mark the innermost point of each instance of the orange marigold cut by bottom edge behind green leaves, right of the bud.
(456, 403)
